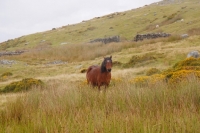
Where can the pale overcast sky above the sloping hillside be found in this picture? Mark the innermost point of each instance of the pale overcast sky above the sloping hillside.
(22, 17)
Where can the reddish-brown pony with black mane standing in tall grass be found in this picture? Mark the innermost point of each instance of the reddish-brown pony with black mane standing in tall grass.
(100, 75)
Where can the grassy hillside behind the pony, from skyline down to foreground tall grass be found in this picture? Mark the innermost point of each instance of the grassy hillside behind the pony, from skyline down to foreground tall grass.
(61, 51)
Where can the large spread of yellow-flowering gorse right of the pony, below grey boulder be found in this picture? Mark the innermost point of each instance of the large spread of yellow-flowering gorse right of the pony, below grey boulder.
(182, 71)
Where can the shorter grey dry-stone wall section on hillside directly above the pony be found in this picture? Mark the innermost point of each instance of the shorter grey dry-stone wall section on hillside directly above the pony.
(107, 40)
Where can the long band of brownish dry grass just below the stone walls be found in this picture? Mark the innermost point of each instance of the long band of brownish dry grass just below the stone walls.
(80, 52)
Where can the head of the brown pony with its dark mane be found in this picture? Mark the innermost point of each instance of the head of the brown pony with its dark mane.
(106, 65)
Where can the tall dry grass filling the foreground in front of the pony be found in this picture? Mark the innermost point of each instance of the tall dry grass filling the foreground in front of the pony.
(67, 107)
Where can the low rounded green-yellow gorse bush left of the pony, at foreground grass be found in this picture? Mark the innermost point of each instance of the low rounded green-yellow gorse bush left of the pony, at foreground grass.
(23, 85)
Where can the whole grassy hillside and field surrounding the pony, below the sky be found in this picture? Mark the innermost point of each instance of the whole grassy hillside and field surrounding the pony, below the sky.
(67, 104)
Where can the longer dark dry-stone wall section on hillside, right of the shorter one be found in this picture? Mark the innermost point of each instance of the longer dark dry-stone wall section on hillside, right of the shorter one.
(141, 37)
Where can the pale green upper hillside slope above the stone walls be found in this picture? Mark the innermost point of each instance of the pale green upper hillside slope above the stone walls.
(172, 17)
